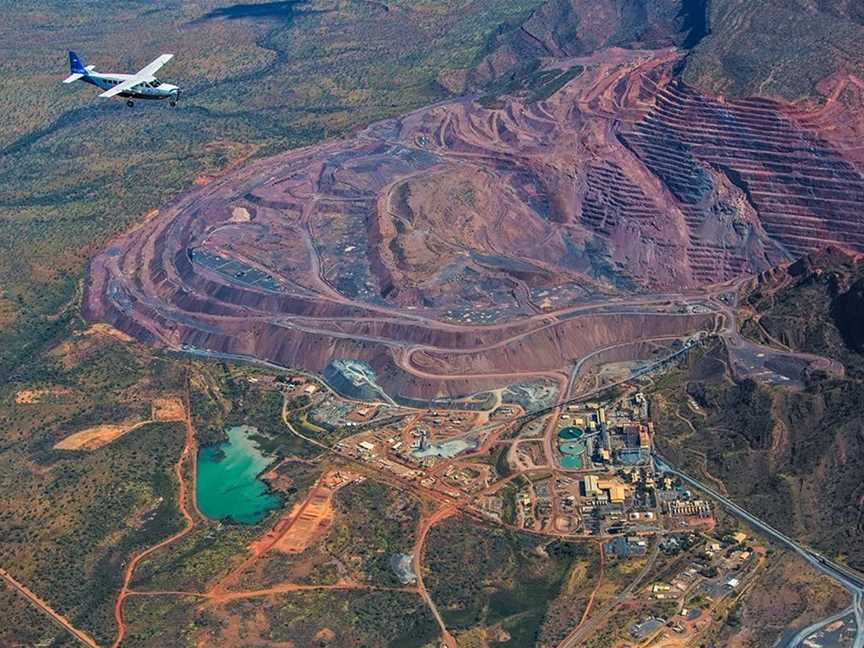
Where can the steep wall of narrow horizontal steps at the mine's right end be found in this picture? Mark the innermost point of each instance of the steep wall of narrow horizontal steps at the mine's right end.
(798, 178)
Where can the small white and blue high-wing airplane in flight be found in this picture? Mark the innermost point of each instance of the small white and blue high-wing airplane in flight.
(141, 85)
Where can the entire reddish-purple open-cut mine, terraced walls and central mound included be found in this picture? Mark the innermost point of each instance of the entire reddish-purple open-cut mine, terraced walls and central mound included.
(462, 248)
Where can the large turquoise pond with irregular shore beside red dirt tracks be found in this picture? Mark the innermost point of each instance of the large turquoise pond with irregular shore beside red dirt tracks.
(228, 486)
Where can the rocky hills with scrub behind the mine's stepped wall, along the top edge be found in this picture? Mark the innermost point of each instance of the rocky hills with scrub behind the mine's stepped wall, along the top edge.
(736, 48)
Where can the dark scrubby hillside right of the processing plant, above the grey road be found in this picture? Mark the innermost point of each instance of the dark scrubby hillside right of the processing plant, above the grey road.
(794, 457)
